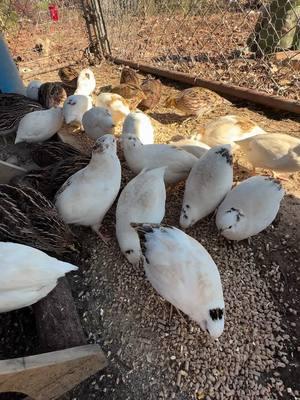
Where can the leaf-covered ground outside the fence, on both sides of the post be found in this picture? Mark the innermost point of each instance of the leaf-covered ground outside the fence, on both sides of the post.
(209, 41)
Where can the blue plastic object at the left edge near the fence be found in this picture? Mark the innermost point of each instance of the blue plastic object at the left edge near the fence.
(10, 80)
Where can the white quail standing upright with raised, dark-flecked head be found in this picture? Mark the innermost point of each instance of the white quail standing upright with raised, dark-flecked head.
(87, 195)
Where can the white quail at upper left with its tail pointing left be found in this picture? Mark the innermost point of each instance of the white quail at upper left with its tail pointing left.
(38, 126)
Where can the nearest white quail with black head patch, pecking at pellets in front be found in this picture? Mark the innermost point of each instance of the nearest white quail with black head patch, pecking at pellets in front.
(183, 272)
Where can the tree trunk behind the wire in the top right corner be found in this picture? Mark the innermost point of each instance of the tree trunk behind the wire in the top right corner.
(276, 28)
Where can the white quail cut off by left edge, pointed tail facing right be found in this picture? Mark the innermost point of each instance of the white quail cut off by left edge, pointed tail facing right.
(27, 275)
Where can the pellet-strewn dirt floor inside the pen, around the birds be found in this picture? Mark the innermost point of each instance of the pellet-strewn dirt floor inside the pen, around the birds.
(154, 356)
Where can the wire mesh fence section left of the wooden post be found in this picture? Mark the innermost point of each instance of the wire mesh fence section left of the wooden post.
(37, 41)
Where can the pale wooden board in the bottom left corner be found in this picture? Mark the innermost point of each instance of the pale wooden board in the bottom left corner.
(48, 376)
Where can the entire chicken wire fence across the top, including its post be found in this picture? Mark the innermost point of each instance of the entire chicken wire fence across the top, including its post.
(253, 44)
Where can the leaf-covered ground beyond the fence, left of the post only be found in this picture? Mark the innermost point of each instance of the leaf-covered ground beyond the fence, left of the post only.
(41, 44)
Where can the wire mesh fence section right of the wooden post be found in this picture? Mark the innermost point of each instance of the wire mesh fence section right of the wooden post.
(250, 43)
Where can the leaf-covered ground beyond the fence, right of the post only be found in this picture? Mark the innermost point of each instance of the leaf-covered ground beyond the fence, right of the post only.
(210, 45)
